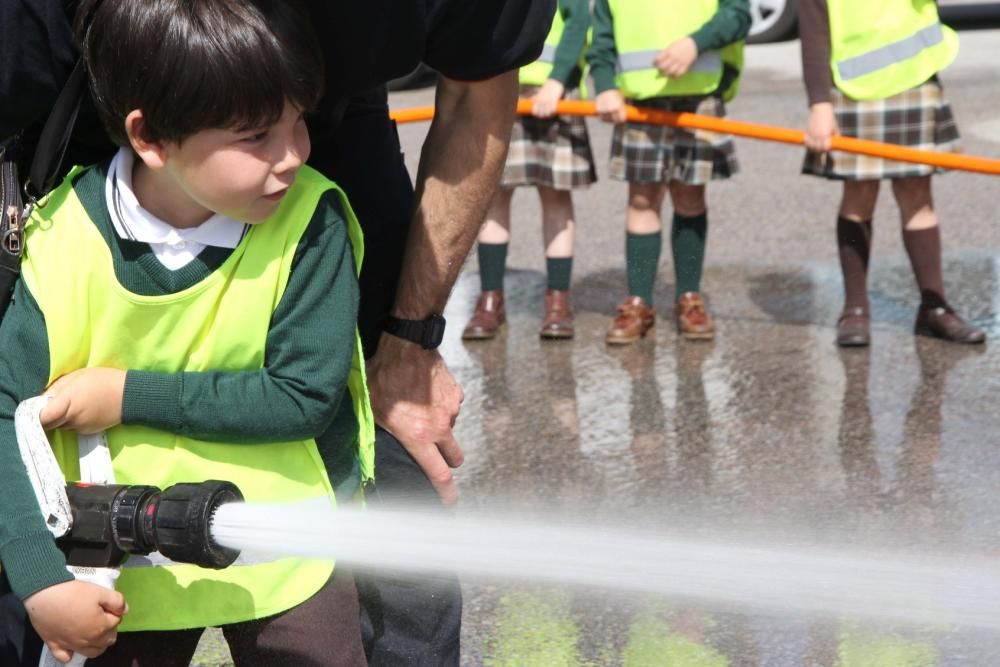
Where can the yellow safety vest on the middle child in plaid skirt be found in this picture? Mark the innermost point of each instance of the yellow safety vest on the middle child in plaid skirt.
(643, 28)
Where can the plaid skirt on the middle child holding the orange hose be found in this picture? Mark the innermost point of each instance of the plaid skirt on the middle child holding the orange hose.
(642, 153)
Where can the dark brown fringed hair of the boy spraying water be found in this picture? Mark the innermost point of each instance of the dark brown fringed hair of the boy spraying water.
(193, 65)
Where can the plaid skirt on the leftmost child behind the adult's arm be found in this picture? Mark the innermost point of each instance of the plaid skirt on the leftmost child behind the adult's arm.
(551, 152)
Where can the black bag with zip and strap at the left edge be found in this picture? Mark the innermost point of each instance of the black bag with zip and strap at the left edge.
(19, 196)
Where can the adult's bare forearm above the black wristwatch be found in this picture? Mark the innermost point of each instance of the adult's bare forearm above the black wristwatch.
(460, 166)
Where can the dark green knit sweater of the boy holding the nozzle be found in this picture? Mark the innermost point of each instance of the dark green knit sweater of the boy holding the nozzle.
(299, 393)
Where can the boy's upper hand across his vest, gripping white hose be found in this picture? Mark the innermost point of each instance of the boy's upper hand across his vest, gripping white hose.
(87, 401)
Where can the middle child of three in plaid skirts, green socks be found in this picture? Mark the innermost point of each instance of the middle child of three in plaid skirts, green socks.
(677, 55)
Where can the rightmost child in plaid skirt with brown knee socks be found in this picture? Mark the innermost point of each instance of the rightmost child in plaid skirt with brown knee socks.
(870, 71)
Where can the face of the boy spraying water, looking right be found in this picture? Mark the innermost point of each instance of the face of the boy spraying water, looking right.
(242, 175)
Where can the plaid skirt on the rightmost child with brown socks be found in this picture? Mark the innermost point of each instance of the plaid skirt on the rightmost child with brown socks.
(916, 118)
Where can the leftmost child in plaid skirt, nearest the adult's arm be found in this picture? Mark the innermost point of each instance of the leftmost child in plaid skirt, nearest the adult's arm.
(553, 154)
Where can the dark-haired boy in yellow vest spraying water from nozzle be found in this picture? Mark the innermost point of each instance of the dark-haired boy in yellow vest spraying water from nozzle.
(196, 298)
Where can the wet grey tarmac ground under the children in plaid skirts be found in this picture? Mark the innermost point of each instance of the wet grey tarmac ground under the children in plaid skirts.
(769, 433)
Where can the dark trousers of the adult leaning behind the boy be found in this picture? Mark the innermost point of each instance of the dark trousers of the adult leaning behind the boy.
(405, 621)
